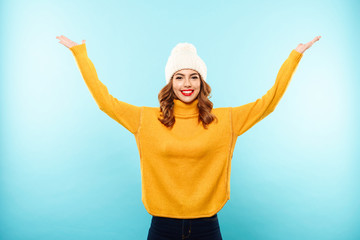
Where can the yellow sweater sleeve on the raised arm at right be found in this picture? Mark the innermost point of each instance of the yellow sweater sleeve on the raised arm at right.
(246, 116)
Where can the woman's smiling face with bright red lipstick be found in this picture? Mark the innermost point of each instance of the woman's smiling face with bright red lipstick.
(186, 85)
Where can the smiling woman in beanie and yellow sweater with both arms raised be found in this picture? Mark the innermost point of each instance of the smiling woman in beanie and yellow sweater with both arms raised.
(185, 145)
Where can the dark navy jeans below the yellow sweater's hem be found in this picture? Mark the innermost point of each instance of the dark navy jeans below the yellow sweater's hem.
(163, 228)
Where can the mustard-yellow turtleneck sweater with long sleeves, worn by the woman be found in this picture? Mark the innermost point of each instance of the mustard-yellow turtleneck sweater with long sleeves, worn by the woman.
(185, 171)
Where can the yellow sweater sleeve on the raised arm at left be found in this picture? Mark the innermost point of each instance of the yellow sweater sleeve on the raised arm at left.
(126, 114)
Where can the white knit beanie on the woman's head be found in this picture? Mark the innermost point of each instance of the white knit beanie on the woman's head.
(183, 56)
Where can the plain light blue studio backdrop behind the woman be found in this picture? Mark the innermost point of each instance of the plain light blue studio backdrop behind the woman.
(68, 171)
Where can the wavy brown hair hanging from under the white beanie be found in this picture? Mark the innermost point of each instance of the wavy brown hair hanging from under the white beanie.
(166, 98)
